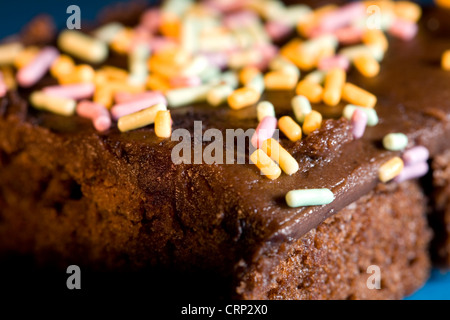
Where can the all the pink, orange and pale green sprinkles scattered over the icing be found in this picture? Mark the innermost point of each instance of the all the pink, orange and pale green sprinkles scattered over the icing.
(223, 52)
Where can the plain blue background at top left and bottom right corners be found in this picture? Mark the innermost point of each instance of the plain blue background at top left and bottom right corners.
(15, 14)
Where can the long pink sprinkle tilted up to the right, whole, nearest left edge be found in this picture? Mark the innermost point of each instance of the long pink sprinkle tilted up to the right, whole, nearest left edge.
(35, 70)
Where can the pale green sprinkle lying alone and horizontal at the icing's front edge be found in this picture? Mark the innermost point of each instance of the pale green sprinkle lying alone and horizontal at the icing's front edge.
(309, 197)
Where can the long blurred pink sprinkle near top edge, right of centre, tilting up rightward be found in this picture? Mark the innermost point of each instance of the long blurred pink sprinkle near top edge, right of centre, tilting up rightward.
(342, 17)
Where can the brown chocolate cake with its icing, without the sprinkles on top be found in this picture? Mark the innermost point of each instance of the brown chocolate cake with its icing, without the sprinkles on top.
(115, 201)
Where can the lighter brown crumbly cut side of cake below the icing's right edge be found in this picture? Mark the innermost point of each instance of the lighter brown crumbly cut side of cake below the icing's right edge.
(331, 261)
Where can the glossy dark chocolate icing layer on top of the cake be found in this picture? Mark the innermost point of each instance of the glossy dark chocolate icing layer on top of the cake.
(413, 97)
